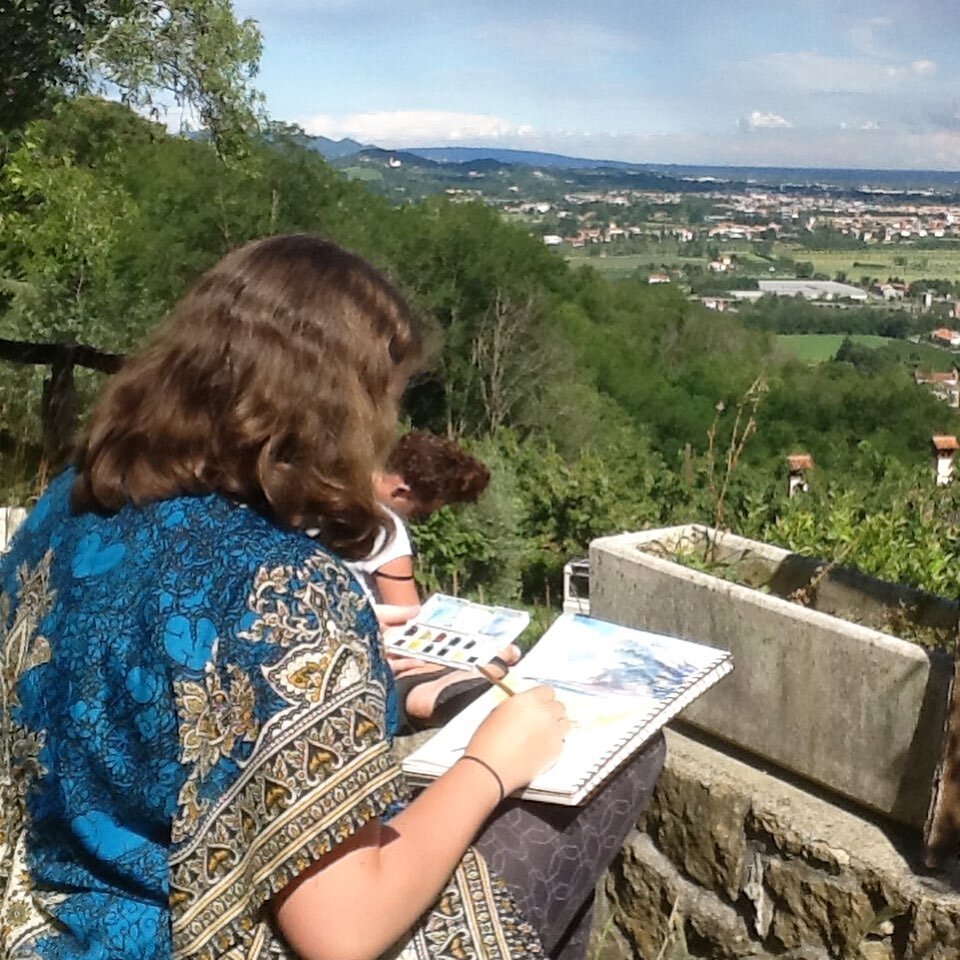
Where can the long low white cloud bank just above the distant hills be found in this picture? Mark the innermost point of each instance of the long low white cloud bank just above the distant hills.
(407, 128)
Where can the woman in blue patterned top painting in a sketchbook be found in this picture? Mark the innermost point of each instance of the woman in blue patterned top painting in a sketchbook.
(195, 723)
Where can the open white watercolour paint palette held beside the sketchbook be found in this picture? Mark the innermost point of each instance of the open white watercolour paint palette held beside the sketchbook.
(457, 633)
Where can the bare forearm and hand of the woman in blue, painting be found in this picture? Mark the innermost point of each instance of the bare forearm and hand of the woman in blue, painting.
(364, 895)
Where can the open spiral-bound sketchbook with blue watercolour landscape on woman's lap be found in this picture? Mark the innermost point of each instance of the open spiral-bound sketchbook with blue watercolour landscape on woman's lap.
(620, 686)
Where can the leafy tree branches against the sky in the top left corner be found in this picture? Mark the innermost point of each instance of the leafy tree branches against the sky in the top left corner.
(193, 51)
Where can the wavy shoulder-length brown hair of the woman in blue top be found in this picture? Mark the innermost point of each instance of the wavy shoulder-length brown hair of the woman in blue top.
(275, 381)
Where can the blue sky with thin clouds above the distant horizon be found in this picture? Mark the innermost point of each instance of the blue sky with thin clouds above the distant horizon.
(840, 83)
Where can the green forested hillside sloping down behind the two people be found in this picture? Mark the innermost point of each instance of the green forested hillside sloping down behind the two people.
(600, 405)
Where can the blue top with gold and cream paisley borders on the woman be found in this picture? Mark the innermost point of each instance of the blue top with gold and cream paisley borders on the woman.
(195, 707)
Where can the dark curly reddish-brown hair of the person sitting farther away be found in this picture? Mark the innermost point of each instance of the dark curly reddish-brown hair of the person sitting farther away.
(437, 470)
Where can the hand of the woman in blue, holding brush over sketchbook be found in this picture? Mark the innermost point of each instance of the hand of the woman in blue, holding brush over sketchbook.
(522, 736)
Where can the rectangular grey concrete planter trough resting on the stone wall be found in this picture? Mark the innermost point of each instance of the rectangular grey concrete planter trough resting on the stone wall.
(815, 689)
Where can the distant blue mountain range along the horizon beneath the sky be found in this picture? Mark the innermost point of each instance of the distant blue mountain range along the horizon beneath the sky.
(894, 181)
